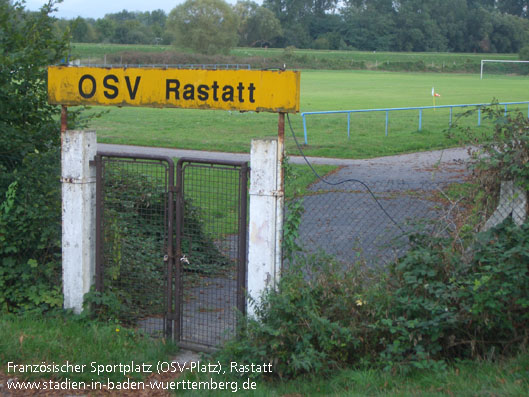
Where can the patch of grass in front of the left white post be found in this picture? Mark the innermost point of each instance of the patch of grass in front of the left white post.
(33, 339)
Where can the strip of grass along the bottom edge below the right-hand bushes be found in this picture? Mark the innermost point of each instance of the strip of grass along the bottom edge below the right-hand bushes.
(465, 378)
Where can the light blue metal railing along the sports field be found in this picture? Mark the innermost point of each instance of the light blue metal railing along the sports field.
(419, 108)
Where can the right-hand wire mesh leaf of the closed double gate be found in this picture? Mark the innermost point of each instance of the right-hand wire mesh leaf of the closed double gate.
(211, 243)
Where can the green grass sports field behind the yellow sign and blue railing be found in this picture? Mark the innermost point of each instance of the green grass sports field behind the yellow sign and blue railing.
(325, 90)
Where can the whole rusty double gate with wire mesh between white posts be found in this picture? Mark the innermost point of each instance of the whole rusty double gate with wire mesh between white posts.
(171, 257)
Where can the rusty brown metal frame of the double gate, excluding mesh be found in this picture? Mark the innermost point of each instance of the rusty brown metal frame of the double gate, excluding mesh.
(172, 324)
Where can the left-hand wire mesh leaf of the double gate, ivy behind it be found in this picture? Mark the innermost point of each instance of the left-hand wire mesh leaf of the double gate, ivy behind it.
(134, 238)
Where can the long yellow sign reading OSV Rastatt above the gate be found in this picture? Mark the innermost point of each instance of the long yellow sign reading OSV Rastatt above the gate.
(245, 90)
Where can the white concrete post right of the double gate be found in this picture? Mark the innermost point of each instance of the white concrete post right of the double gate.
(265, 226)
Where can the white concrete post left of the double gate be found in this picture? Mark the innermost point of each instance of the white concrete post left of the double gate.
(78, 216)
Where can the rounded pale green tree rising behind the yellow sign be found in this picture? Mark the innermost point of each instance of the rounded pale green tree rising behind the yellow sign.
(206, 26)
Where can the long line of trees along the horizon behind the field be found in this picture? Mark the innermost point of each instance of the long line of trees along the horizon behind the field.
(211, 26)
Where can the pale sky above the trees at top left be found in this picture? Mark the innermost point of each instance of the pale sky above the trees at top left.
(70, 9)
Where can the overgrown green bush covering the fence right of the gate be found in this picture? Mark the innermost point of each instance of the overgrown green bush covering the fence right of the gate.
(442, 300)
